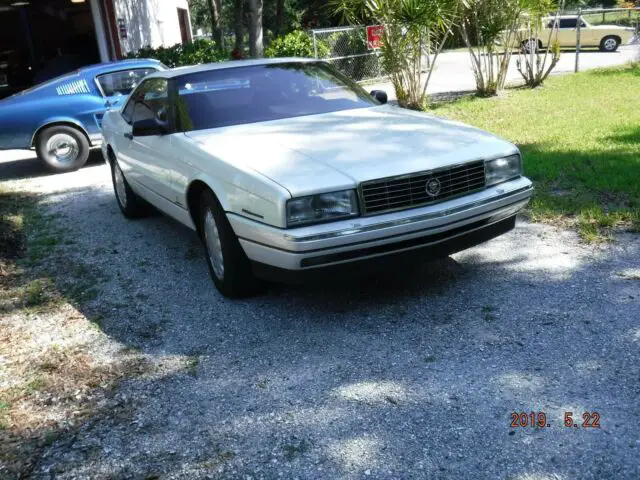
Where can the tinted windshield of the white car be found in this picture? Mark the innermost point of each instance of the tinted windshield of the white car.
(236, 96)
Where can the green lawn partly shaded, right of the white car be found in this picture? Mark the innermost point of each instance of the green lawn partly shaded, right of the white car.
(580, 139)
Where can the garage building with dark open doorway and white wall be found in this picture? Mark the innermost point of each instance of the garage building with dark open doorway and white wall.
(41, 39)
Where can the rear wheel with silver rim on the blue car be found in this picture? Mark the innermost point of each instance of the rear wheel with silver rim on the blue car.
(62, 148)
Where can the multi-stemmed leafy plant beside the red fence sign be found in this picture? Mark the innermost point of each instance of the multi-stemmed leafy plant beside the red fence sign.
(414, 33)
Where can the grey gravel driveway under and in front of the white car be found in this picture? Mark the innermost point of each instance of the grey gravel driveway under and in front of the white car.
(409, 374)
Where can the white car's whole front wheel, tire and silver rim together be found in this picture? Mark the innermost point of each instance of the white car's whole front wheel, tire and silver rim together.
(229, 266)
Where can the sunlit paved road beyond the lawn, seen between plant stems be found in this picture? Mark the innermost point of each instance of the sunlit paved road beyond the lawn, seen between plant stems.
(454, 74)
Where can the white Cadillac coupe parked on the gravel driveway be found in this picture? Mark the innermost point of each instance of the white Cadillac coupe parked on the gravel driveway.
(289, 170)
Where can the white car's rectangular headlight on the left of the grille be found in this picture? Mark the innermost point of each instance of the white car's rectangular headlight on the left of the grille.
(321, 208)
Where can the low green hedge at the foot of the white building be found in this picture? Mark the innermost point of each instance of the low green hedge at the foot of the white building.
(199, 51)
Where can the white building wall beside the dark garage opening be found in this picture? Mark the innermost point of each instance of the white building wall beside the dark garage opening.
(152, 23)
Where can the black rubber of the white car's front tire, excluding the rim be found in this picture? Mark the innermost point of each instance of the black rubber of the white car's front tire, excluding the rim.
(238, 280)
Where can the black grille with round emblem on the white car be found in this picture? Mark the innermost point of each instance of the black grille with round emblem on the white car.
(409, 191)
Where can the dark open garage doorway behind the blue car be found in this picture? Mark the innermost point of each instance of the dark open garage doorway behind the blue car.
(41, 39)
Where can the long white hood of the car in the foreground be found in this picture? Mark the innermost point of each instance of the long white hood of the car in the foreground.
(332, 151)
